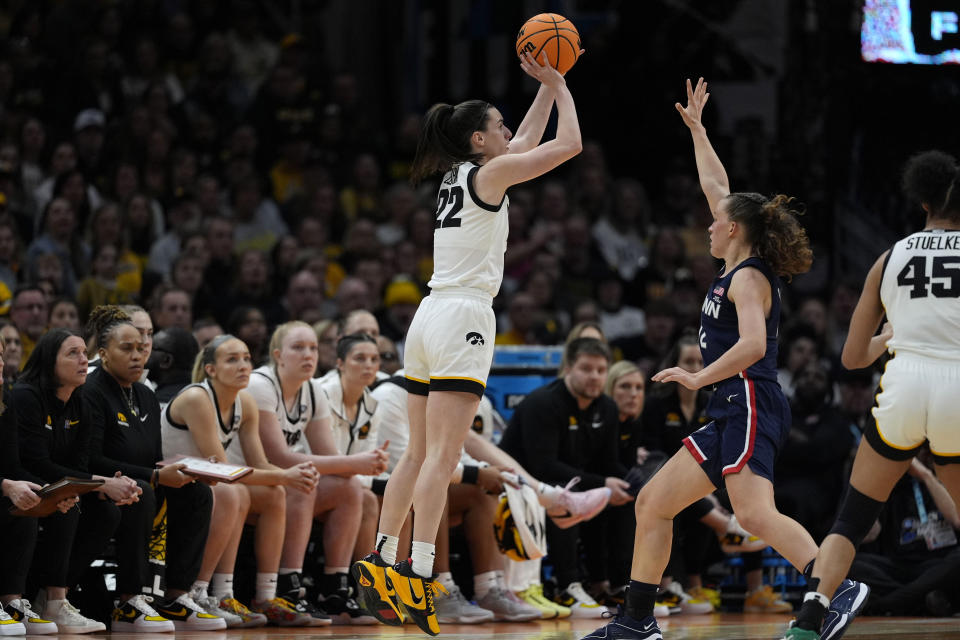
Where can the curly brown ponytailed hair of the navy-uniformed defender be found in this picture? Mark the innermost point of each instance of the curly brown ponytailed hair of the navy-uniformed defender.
(773, 231)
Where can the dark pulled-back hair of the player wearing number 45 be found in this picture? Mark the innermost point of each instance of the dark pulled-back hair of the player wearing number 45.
(932, 178)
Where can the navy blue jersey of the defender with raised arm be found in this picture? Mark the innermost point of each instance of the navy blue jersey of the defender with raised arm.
(718, 321)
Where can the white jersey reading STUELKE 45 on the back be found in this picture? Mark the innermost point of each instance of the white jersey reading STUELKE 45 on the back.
(920, 291)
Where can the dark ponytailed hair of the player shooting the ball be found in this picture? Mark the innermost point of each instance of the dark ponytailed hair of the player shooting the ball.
(445, 137)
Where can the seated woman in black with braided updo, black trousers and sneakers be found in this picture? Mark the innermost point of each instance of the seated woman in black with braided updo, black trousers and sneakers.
(125, 438)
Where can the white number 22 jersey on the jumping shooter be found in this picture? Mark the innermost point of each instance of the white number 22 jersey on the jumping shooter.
(469, 237)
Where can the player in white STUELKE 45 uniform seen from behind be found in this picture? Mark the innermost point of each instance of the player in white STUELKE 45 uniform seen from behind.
(917, 285)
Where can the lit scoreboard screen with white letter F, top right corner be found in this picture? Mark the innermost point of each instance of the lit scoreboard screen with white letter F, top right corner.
(911, 31)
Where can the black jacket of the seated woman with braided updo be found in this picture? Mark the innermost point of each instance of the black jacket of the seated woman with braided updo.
(120, 440)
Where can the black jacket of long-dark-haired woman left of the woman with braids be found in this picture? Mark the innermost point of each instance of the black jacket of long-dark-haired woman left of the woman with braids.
(54, 436)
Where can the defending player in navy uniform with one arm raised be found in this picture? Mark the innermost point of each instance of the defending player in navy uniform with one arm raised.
(758, 239)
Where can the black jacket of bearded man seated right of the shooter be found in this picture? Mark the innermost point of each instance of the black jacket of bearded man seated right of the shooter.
(555, 440)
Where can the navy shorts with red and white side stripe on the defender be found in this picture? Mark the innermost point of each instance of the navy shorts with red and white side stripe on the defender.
(751, 420)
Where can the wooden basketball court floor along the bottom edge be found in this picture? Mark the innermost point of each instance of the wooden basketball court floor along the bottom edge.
(722, 626)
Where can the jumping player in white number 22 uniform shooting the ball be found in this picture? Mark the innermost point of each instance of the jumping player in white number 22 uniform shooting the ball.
(449, 346)
